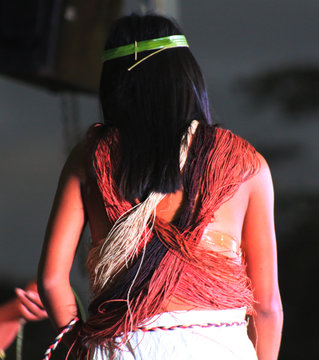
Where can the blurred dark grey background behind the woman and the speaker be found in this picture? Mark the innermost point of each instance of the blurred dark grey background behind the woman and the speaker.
(261, 63)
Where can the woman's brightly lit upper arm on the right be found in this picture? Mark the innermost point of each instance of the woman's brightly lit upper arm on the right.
(259, 240)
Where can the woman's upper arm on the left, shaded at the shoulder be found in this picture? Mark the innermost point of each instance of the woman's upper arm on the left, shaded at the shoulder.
(65, 225)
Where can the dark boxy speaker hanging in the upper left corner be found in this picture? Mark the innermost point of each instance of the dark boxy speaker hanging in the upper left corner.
(55, 43)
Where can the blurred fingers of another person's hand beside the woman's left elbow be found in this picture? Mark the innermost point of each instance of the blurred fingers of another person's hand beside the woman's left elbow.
(30, 306)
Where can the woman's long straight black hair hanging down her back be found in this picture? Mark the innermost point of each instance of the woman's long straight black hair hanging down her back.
(151, 106)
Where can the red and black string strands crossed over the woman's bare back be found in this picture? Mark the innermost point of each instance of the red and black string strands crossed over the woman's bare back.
(174, 265)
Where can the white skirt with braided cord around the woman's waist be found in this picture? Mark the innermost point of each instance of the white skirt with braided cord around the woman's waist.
(195, 343)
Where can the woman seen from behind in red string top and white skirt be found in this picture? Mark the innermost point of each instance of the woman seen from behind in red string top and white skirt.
(180, 212)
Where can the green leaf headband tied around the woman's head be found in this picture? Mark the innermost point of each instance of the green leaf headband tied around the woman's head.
(158, 44)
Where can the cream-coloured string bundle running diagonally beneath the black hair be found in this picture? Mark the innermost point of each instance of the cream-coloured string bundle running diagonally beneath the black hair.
(129, 233)
